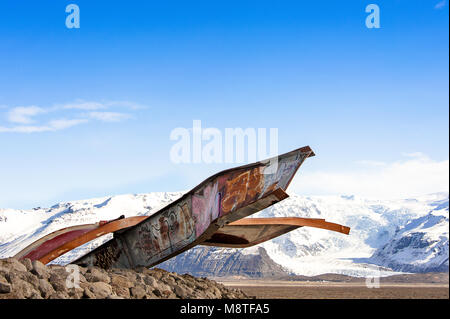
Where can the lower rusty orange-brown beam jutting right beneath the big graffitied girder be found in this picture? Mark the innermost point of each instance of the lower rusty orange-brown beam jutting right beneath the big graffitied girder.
(252, 231)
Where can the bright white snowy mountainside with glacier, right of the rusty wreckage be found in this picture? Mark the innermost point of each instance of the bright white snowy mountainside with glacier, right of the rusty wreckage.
(374, 224)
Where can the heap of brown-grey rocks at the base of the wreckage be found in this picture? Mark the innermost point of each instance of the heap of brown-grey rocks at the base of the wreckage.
(27, 279)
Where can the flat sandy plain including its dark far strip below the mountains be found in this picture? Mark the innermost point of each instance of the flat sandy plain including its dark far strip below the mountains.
(428, 286)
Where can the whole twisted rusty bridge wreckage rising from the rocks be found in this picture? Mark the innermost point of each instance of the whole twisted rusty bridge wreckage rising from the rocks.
(213, 214)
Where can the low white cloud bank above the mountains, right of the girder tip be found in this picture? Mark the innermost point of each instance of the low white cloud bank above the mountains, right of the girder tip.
(416, 175)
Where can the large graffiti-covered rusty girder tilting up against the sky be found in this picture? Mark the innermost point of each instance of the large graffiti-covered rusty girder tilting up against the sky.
(223, 198)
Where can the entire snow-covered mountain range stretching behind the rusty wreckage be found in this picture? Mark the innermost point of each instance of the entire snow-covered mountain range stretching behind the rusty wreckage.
(386, 235)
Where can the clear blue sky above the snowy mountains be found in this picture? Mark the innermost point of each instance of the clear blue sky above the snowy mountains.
(88, 112)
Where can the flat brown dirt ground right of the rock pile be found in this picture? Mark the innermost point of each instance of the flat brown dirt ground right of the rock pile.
(307, 290)
